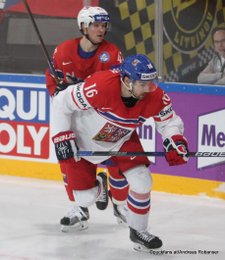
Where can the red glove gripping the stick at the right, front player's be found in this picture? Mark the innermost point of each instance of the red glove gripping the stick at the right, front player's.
(176, 148)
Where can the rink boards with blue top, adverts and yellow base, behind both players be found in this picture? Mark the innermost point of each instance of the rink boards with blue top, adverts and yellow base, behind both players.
(26, 148)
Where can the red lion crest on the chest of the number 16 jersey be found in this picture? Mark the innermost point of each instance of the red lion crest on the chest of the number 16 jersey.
(111, 133)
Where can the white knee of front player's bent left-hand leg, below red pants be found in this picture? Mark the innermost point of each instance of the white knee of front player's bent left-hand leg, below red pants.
(86, 198)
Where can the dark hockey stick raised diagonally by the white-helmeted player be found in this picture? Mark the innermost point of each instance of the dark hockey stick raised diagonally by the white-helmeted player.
(42, 43)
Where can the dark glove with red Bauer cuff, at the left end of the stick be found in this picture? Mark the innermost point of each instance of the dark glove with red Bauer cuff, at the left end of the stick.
(65, 146)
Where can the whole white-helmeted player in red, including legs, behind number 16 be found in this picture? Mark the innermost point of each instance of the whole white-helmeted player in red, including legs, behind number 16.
(73, 61)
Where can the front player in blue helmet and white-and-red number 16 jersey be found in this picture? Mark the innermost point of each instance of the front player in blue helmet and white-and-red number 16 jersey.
(101, 114)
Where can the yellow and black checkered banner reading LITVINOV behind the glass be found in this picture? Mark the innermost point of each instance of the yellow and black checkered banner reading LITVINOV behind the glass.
(187, 26)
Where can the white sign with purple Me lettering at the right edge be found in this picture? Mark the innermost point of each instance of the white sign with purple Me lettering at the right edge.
(211, 137)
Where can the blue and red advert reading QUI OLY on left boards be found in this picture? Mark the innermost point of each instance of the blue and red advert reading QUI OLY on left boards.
(24, 121)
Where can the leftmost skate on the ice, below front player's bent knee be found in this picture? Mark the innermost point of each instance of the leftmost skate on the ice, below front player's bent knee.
(76, 218)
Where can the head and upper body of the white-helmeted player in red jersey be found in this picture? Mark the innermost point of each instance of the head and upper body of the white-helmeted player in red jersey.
(78, 58)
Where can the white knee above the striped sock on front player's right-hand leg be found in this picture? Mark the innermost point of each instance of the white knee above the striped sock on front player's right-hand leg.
(139, 179)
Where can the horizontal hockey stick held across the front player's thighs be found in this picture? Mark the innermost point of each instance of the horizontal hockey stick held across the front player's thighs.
(118, 153)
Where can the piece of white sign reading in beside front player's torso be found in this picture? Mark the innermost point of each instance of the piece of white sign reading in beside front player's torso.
(146, 133)
